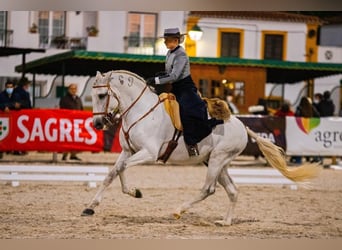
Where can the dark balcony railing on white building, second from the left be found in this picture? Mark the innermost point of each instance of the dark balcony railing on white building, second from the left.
(63, 42)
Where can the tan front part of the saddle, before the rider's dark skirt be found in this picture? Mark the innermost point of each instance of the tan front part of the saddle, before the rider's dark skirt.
(172, 108)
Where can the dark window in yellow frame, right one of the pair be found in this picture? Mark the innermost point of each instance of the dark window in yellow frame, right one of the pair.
(274, 46)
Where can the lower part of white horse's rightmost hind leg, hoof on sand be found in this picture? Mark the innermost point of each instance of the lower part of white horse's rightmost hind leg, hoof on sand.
(226, 181)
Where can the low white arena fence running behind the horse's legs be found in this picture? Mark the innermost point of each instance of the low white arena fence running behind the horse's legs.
(91, 175)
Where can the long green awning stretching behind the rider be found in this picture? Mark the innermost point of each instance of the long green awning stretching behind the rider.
(81, 62)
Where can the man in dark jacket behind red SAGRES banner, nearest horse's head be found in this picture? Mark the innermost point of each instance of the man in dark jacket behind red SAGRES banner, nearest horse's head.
(71, 101)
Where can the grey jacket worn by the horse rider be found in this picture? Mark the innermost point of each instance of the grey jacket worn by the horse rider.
(177, 66)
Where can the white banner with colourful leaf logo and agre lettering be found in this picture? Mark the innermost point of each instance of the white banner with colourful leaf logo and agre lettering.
(314, 136)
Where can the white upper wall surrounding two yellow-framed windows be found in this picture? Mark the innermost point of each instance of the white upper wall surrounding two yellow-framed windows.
(252, 47)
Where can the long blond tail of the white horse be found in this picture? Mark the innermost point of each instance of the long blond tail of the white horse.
(276, 158)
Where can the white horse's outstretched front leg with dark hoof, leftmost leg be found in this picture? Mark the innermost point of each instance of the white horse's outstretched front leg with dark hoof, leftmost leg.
(115, 171)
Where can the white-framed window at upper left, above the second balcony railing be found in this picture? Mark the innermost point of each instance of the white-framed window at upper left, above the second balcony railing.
(50, 25)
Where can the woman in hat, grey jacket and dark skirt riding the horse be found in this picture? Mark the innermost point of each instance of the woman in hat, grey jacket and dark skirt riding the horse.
(193, 110)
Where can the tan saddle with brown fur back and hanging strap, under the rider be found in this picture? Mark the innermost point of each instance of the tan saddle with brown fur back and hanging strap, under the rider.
(217, 108)
